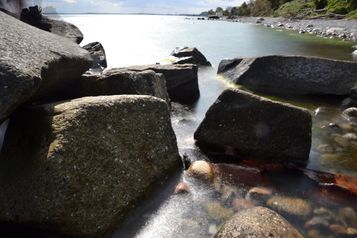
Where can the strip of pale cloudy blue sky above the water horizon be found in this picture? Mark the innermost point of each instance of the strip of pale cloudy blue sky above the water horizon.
(135, 6)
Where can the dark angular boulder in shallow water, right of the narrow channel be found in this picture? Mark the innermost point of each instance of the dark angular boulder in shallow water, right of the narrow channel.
(257, 127)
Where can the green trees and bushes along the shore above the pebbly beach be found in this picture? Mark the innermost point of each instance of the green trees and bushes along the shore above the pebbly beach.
(288, 8)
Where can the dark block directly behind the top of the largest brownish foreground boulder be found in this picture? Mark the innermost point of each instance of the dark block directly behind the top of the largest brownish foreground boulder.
(120, 81)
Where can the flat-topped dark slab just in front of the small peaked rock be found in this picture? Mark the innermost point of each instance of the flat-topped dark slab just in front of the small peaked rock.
(181, 80)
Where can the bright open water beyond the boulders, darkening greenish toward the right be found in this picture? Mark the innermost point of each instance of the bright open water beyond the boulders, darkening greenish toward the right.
(137, 39)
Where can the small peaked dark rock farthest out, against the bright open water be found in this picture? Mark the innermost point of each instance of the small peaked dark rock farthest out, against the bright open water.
(189, 55)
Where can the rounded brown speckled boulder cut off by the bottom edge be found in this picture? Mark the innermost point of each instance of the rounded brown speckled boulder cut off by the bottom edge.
(258, 222)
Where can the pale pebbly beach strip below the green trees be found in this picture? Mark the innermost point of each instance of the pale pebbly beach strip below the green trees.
(327, 28)
